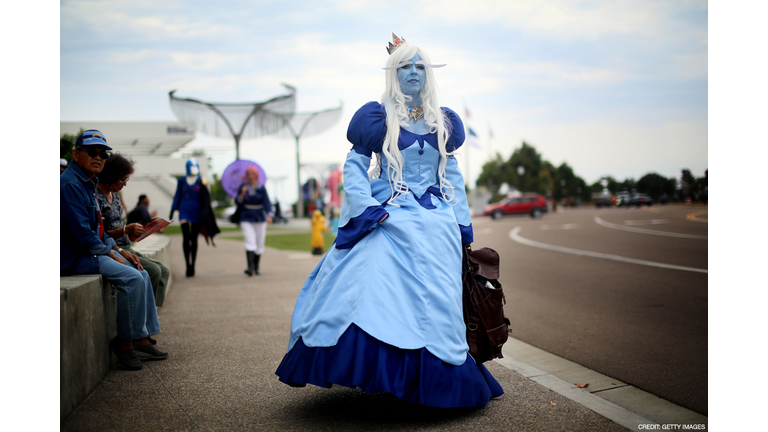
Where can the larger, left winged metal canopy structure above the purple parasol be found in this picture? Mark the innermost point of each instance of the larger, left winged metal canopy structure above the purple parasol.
(255, 119)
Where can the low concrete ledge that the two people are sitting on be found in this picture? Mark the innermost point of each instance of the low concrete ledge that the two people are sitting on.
(87, 324)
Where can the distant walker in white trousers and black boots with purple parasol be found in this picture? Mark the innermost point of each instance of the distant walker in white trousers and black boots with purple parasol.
(255, 212)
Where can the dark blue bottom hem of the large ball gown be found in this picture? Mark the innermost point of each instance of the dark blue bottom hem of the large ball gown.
(415, 376)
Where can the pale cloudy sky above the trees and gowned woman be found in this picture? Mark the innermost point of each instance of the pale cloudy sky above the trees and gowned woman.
(610, 87)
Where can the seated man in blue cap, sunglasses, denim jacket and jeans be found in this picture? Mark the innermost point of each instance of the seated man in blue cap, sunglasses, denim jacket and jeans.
(86, 248)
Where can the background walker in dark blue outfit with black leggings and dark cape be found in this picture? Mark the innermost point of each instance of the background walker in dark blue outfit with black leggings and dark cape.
(193, 201)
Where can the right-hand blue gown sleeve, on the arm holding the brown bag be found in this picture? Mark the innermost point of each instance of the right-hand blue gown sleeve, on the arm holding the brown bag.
(454, 176)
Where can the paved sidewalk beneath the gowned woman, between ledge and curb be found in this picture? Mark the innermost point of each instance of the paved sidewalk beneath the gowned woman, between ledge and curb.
(226, 333)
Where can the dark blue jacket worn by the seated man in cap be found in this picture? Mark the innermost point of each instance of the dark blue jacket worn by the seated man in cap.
(79, 242)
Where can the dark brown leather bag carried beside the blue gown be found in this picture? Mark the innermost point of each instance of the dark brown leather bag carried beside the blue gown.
(483, 299)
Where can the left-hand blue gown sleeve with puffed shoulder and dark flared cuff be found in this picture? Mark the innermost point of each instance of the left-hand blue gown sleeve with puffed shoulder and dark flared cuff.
(361, 210)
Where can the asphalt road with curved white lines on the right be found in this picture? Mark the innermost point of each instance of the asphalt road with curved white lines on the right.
(613, 309)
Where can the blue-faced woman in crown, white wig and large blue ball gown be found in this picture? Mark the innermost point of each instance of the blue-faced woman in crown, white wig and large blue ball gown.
(383, 309)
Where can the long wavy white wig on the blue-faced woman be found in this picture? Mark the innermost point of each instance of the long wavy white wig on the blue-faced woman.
(394, 102)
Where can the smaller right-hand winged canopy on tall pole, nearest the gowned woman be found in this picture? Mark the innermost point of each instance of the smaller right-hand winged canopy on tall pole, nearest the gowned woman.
(305, 125)
